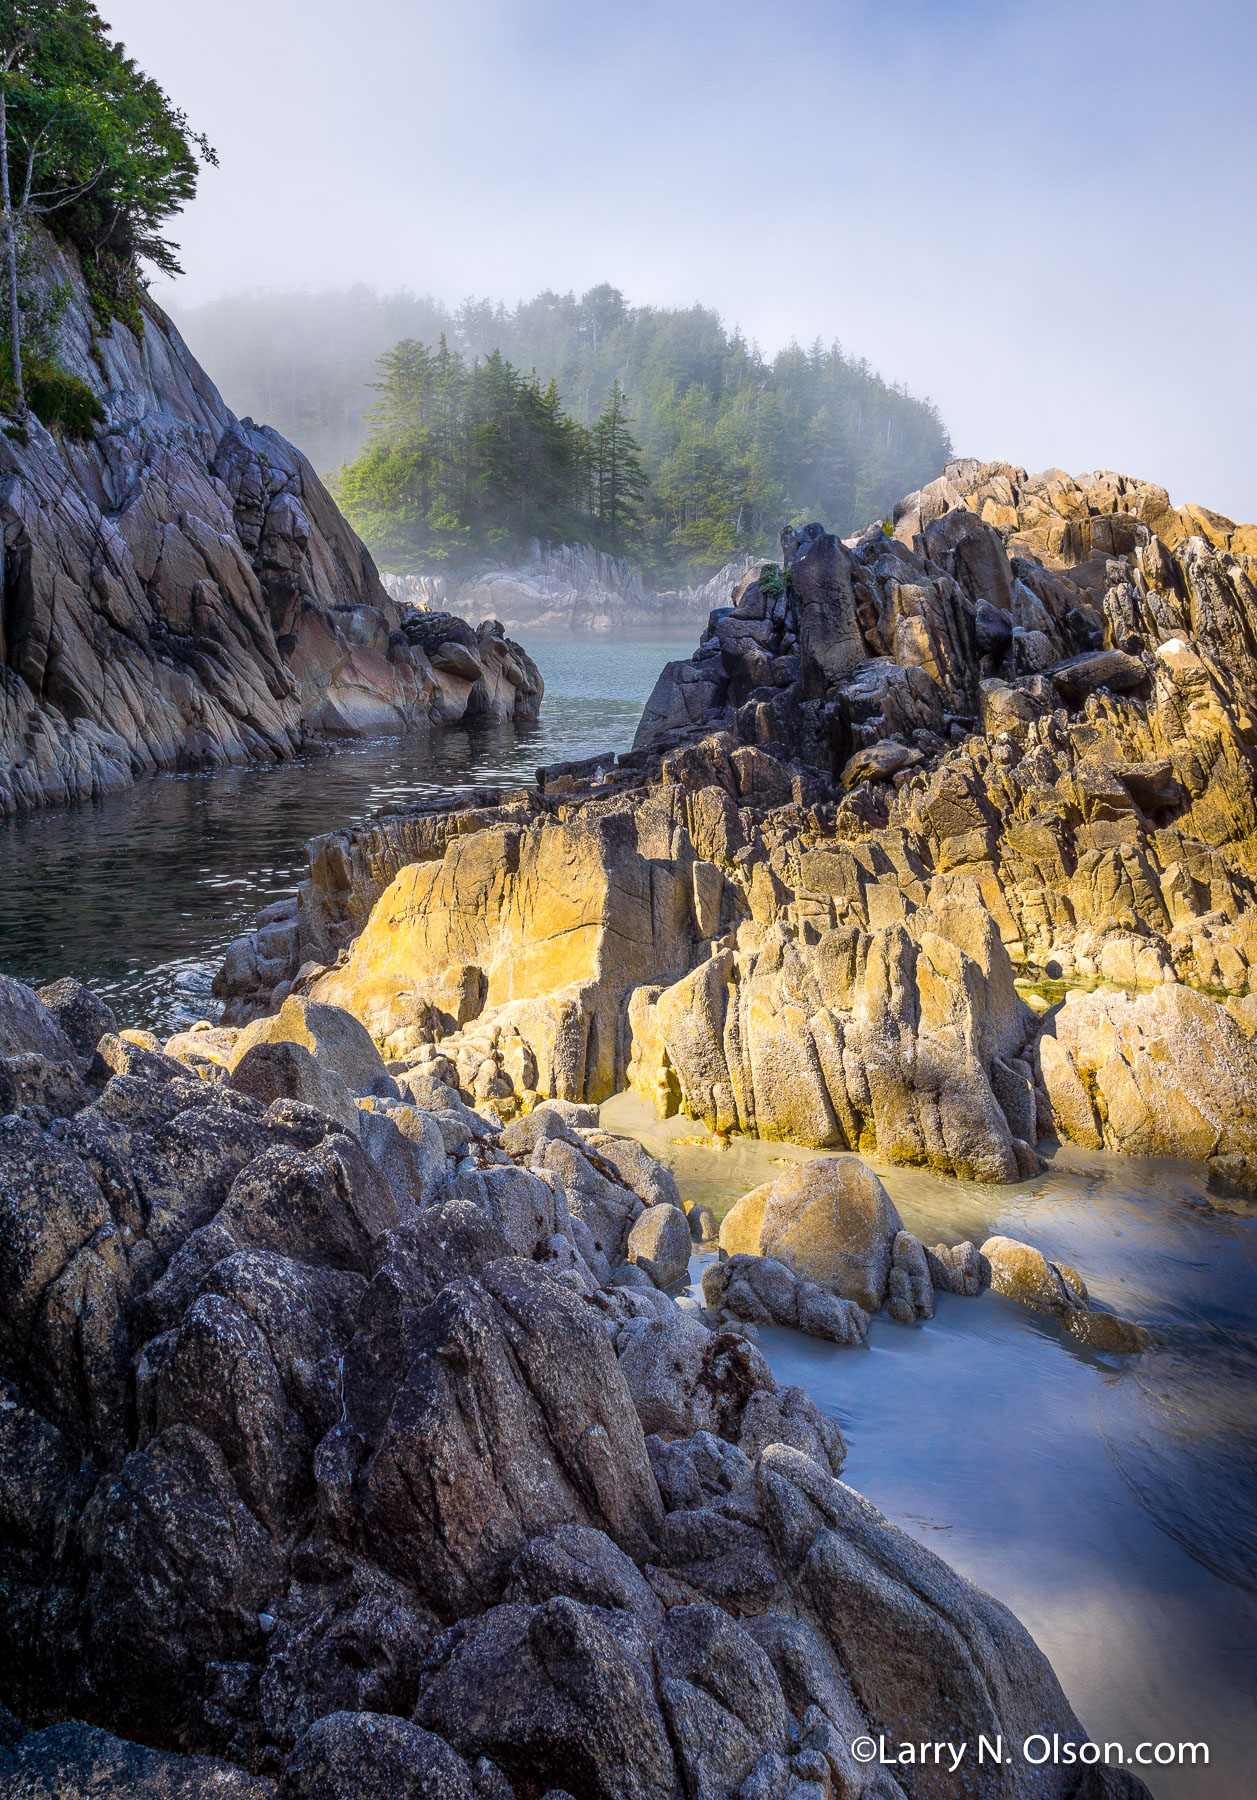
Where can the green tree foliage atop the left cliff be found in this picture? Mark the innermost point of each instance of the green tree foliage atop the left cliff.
(96, 145)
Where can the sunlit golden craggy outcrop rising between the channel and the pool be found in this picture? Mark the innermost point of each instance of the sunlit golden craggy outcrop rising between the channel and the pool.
(941, 843)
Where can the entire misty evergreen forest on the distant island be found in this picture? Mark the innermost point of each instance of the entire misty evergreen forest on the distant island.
(655, 433)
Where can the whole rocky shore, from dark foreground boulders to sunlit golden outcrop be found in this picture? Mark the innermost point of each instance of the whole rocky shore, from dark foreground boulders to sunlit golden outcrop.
(359, 1435)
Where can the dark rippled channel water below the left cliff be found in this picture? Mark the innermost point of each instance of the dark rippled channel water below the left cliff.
(141, 894)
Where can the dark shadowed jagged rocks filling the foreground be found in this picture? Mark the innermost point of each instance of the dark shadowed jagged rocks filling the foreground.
(327, 1473)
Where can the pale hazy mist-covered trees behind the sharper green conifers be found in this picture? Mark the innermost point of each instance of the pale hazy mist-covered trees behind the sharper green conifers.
(732, 444)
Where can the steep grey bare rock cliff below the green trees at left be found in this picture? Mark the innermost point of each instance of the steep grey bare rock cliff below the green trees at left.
(181, 591)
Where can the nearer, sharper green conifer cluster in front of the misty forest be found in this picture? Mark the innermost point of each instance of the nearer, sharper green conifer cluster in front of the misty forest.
(471, 460)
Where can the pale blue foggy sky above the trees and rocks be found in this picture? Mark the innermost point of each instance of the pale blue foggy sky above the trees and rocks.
(1038, 215)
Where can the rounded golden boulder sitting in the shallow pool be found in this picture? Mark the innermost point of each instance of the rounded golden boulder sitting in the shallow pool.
(829, 1221)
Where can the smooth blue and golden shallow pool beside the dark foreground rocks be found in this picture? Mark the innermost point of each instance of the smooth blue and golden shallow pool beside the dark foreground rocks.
(1110, 1502)
